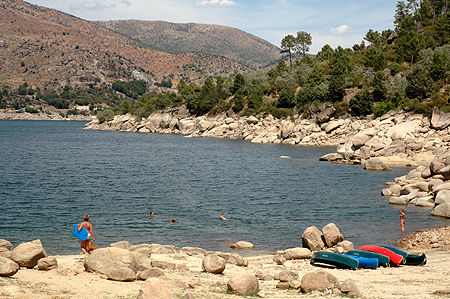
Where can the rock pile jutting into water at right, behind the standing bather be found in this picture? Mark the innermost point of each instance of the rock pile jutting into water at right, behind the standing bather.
(425, 186)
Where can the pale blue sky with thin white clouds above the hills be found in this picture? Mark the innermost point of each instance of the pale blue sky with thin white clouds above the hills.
(337, 23)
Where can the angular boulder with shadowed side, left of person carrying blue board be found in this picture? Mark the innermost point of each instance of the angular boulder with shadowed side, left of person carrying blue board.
(27, 254)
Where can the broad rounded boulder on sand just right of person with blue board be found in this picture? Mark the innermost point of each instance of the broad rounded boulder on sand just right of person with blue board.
(110, 261)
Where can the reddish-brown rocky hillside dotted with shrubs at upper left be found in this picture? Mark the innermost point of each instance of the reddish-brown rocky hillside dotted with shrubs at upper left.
(40, 45)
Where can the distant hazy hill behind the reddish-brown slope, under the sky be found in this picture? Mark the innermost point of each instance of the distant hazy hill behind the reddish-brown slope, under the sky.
(229, 42)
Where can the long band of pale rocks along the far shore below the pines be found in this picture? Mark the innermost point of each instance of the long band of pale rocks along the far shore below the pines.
(395, 137)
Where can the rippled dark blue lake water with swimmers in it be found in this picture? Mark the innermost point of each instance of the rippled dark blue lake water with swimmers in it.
(52, 173)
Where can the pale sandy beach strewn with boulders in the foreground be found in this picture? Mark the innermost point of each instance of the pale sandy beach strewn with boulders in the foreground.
(70, 280)
